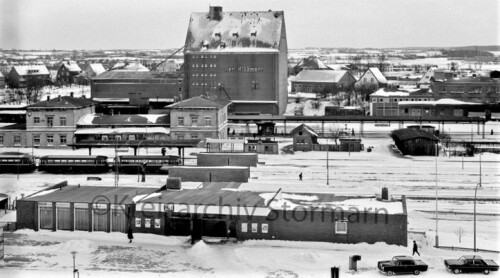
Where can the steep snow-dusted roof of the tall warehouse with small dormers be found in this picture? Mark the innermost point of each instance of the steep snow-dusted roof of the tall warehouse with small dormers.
(248, 29)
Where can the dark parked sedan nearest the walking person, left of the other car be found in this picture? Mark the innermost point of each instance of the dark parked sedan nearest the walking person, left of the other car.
(402, 264)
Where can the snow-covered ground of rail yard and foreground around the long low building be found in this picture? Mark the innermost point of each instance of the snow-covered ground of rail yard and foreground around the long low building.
(47, 254)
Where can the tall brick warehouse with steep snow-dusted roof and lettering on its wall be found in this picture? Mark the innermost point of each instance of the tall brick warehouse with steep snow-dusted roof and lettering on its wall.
(240, 56)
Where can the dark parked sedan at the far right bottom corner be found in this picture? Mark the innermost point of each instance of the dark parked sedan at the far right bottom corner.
(471, 263)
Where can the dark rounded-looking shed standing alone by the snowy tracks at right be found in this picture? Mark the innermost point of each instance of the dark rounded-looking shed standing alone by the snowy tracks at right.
(415, 141)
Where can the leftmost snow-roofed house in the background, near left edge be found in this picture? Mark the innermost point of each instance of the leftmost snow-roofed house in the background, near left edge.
(21, 76)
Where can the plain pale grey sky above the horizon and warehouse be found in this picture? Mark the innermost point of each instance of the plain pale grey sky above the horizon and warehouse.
(162, 24)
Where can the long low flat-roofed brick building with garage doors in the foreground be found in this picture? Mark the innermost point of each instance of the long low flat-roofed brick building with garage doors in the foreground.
(211, 212)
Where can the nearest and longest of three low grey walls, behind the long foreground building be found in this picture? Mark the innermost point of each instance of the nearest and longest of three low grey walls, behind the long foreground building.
(207, 174)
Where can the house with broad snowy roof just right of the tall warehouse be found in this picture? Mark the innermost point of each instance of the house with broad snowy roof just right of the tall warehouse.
(319, 81)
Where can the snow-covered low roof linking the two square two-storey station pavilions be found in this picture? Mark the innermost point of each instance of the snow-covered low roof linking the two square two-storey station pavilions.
(98, 119)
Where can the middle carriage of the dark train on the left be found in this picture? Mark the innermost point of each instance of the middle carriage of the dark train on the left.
(74, 164)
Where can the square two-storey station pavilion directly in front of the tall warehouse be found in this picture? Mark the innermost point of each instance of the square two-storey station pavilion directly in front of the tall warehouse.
(198, 118)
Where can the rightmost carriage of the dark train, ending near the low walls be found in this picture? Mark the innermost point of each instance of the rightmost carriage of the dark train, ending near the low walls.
(134, 164)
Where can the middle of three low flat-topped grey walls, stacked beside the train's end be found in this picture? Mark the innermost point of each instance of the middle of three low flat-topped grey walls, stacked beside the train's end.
(227, 159)
